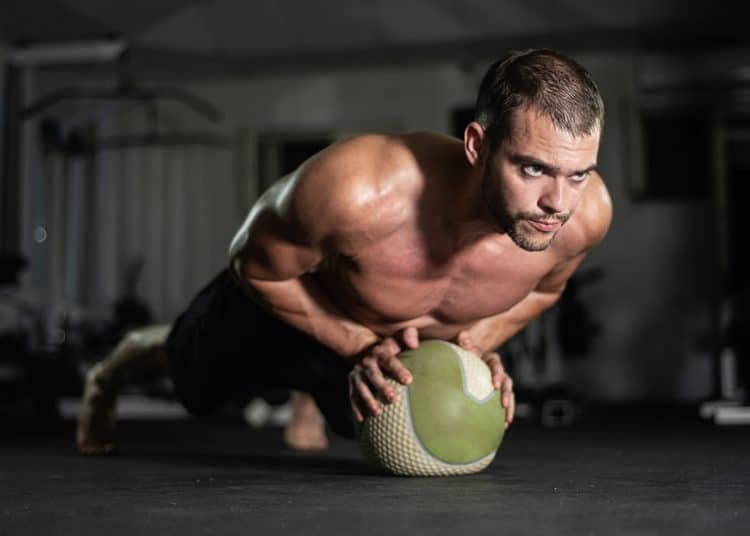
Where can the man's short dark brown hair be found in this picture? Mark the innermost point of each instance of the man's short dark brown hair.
(554, 85)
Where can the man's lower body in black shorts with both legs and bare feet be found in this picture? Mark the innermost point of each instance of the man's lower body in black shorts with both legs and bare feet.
(215, 352)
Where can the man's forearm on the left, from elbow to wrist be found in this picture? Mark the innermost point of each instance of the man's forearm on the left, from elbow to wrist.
(302, 303)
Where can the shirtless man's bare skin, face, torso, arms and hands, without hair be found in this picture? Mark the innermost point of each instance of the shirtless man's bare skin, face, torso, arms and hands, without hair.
(382, 240)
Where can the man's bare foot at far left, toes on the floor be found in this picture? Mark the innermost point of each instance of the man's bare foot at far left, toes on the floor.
(95, 431)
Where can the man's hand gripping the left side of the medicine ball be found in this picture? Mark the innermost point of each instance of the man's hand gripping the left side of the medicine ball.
(368, 387)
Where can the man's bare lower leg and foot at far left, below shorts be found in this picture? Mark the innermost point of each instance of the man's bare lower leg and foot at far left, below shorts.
(138, 359)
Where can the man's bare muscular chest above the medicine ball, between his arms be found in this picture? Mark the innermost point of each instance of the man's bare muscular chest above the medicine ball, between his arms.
(404, 279)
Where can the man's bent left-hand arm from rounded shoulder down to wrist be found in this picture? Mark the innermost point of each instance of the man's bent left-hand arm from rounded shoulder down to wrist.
(334, 205)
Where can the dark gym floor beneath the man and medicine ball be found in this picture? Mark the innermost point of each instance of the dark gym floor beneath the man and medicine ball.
(641, 470)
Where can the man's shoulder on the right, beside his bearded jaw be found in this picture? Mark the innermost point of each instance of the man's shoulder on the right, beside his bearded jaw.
(591, 221)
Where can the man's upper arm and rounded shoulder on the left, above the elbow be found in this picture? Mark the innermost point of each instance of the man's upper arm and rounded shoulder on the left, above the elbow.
(320, 209)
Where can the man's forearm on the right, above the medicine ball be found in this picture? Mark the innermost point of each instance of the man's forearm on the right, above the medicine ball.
(491, 332)
